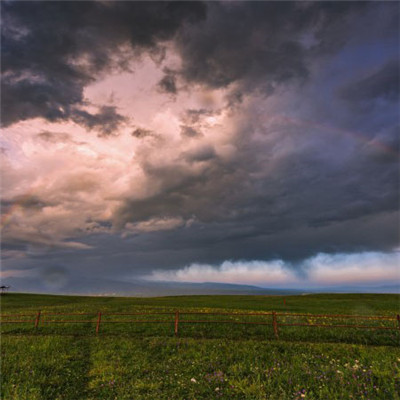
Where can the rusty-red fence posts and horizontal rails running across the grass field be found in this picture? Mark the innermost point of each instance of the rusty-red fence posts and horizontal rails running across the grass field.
(39, 319)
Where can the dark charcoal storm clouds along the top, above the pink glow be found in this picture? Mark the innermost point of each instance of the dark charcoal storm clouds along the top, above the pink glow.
(52, 50)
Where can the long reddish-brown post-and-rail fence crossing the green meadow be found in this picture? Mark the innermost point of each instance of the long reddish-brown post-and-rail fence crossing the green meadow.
(277, 321)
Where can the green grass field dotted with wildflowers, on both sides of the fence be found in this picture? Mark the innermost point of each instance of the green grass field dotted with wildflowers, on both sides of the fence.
(128, 361)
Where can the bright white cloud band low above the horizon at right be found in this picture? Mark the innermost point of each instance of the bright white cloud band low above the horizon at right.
(322, 270)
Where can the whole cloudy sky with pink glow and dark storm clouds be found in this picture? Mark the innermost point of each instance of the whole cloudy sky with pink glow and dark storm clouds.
(237, 142)
